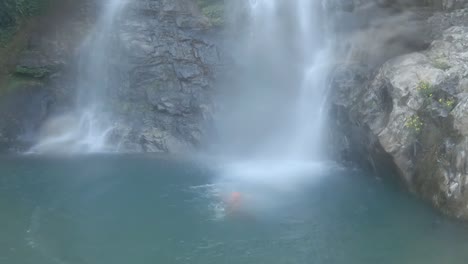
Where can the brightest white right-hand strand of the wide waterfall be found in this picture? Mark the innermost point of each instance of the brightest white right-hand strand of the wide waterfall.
(315, 45)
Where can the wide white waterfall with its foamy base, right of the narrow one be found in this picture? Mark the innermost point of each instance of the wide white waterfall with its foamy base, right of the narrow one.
(273, 113)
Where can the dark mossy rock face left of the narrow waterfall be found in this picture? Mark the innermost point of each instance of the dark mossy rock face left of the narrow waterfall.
(35, 71)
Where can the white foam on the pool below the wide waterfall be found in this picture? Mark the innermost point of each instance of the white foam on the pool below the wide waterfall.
(262, 187)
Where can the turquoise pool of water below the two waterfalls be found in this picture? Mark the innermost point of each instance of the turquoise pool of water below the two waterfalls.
(147, 209)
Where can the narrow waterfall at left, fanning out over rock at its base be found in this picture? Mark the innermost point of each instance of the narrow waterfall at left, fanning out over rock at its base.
(86, 128)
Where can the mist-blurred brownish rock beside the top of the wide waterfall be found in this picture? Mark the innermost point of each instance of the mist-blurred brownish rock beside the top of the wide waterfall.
(375, 31)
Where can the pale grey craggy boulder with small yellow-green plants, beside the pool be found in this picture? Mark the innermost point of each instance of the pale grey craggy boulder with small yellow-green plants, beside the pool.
(415, 106)
